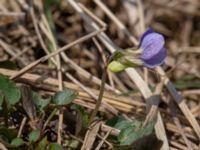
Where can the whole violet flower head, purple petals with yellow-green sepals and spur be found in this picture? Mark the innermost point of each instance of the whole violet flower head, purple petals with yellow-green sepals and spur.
(150, 53)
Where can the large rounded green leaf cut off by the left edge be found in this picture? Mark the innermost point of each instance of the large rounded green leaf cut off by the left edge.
(9, 90)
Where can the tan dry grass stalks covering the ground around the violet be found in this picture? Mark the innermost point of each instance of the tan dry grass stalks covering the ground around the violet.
(90, 31)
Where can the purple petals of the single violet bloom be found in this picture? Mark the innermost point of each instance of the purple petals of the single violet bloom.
(153, 50)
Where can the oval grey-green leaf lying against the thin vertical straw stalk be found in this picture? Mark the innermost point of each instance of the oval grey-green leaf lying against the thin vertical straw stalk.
(64, 97)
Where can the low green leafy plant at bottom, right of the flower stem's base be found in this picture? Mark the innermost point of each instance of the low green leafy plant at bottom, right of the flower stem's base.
(133, 134)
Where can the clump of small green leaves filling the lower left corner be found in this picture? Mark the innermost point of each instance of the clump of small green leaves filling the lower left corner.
(12, 99)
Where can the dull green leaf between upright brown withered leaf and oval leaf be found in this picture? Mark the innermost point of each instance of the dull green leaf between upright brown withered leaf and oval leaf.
(39, 102)
